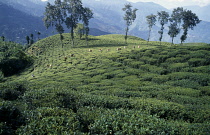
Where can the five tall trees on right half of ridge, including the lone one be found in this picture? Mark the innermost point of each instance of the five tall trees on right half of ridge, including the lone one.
(180, 19)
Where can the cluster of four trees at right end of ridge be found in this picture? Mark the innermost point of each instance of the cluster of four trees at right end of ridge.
(180, 20)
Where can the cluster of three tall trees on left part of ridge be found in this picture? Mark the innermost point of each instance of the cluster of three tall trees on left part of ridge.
(68, 13)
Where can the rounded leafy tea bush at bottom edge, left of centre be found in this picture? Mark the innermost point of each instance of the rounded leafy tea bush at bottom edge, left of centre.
(50, 121)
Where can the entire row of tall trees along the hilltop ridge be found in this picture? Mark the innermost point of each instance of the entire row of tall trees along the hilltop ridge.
(71, 12)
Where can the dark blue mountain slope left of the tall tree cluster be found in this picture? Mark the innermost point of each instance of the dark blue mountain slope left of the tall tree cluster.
(15, 25)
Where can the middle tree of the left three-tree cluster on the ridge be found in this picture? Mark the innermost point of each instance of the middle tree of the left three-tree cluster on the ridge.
(74, 9)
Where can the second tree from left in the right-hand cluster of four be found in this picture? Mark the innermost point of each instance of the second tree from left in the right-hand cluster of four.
(163, 18)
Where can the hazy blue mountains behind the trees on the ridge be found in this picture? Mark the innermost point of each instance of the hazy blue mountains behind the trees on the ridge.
(20, 18)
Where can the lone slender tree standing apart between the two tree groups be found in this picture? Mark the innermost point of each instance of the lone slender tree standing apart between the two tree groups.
(130, 16)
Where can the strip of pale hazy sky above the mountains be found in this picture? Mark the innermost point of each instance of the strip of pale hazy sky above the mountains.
(176, 3)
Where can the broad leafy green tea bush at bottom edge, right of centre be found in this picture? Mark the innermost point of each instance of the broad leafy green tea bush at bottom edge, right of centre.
(132, 122)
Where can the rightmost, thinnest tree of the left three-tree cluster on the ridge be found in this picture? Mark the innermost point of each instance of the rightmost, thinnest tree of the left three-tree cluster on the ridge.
(87, 14)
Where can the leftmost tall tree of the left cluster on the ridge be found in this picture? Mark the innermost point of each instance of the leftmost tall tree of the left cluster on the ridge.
(54, 16)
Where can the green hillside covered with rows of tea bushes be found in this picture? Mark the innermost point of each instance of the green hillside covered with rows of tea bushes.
(109, 88)
